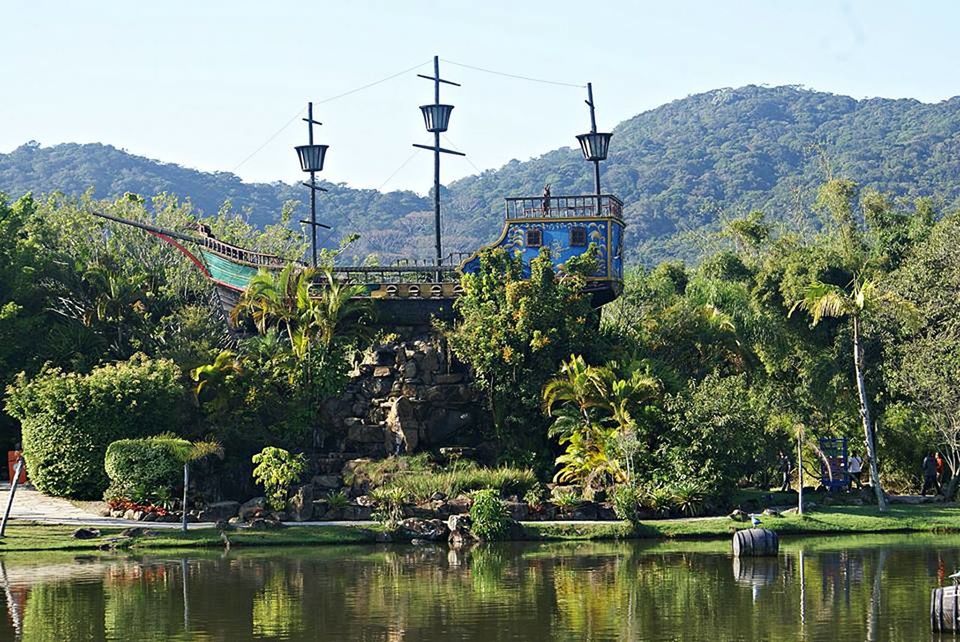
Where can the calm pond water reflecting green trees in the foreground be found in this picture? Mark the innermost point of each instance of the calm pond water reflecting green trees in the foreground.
(850, 588)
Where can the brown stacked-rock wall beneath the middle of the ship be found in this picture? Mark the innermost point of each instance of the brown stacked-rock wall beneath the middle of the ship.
(407, 395)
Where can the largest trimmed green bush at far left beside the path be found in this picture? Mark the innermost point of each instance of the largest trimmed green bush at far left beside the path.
(68, 420)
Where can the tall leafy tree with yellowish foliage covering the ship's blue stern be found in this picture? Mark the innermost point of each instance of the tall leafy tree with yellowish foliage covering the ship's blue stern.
(514, 331)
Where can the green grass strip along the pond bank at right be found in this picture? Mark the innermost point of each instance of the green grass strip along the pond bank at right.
(835, 520)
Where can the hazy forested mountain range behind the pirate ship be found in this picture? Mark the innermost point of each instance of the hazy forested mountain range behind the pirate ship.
(679, 168)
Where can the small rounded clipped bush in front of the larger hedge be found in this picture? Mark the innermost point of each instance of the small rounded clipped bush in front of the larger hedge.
(140, 470)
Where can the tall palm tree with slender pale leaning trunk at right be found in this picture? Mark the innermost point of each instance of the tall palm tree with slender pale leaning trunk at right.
(859, 298)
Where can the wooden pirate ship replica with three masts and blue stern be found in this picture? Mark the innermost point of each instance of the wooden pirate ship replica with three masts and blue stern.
(412, 291)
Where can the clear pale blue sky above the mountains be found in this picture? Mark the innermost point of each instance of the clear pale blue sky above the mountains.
(205, 83)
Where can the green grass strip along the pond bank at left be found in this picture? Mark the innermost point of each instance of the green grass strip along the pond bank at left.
(44, 537)
